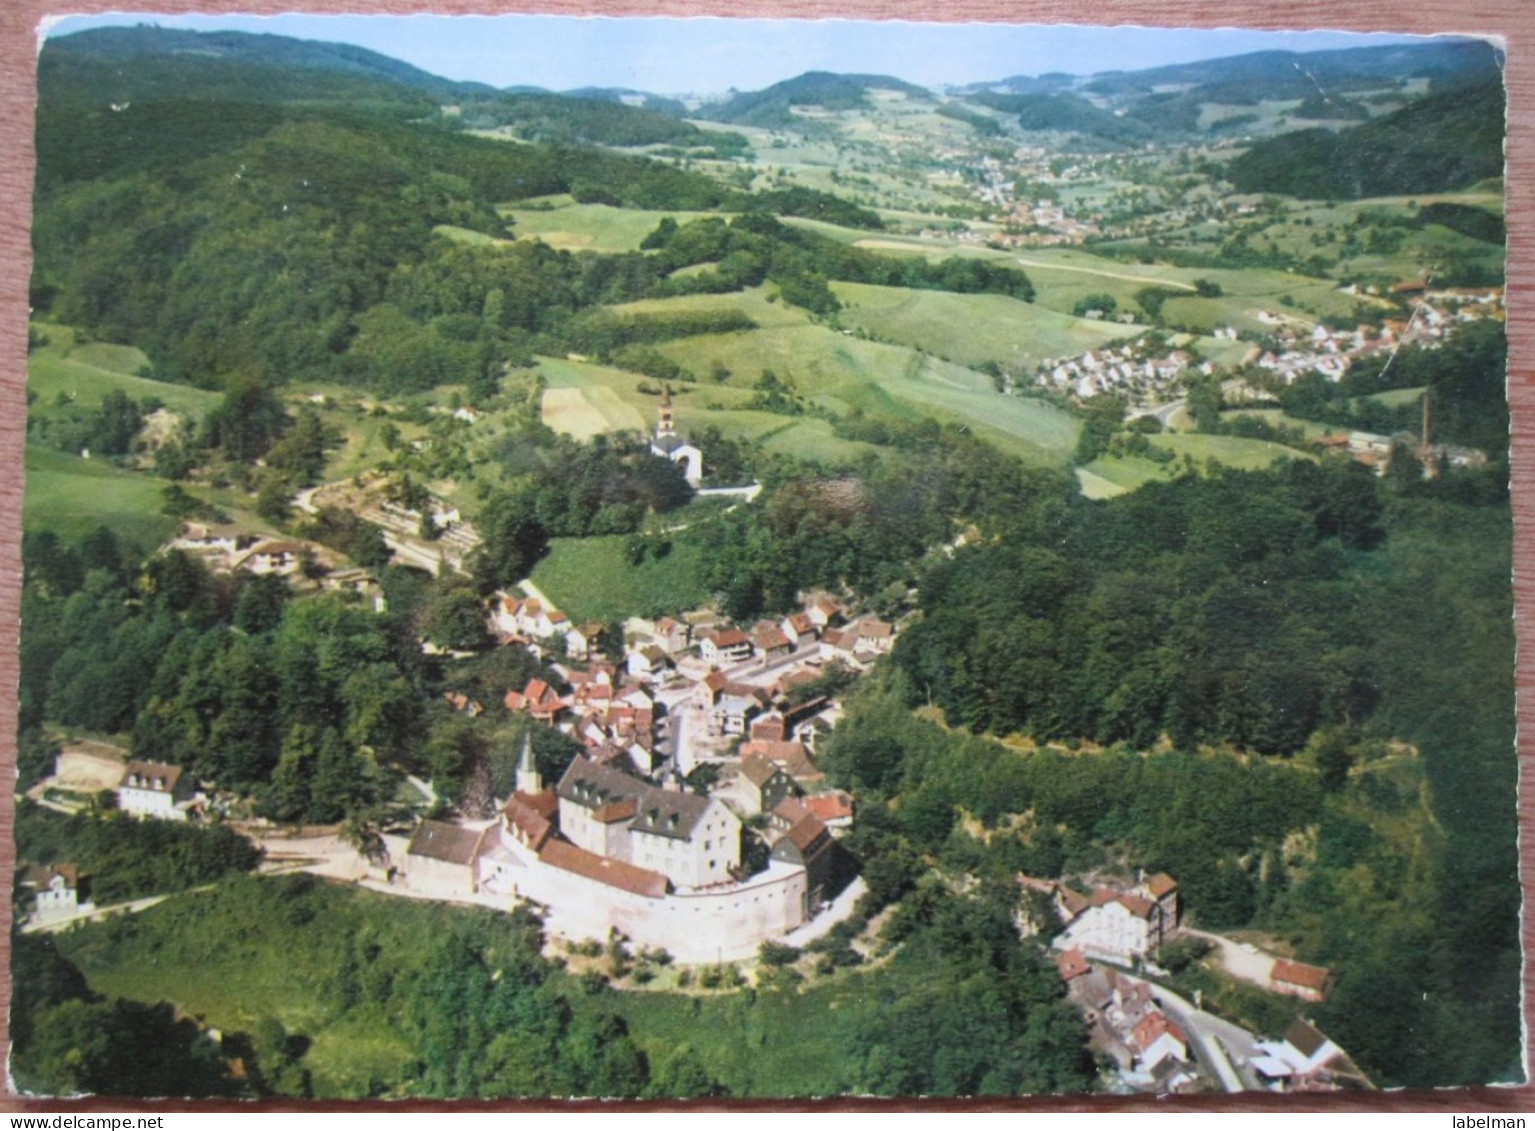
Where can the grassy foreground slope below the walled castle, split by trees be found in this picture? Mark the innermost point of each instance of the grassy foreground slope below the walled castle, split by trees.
(214, 958)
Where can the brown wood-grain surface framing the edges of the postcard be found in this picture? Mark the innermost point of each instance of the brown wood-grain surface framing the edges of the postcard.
(1514, 21)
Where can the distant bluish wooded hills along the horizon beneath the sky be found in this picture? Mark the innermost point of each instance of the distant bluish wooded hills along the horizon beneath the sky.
(85, 74)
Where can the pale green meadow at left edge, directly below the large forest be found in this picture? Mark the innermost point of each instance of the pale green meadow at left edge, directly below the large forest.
(88, 372)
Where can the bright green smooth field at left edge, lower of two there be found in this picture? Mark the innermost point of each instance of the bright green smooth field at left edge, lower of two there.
(73, 496)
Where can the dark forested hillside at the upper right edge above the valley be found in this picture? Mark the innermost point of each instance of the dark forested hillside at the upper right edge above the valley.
(1444, 142)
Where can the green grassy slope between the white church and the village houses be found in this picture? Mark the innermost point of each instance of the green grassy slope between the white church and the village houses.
(592, 579)
